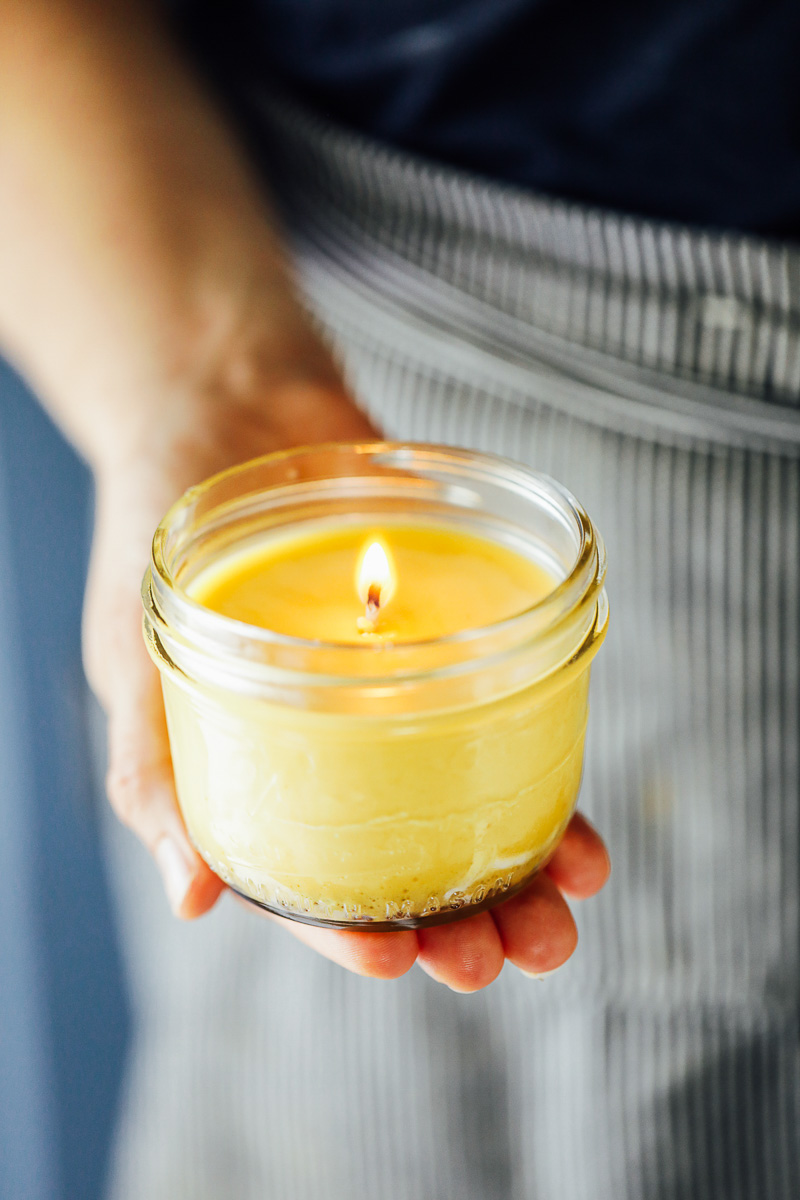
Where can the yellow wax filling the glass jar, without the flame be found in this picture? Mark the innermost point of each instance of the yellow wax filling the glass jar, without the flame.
(348, 817)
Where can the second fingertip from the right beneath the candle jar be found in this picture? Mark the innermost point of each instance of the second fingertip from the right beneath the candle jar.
(537, 928)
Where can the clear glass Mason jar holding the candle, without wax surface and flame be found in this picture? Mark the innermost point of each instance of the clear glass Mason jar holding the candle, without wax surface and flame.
(370, 787)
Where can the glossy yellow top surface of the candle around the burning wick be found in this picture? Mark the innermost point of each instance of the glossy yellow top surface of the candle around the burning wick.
(305, 586)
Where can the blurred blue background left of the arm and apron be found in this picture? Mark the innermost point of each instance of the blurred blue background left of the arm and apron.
(65, 1019)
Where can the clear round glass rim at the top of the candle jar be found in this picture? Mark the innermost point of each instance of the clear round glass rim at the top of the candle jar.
(170, 607)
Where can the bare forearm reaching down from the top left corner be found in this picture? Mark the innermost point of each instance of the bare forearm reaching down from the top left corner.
(139, 259)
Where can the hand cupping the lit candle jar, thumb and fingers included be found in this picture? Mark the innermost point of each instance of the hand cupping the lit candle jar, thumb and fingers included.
(533, 931)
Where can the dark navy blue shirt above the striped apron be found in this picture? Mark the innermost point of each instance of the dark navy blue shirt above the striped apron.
(684, 110)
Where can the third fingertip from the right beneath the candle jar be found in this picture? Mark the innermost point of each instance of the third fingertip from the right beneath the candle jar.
(466, 956)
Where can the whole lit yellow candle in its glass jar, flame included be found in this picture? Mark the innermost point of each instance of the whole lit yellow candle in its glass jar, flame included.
(376, 699)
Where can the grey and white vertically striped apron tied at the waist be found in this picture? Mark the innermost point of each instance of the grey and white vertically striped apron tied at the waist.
(657, 374)
